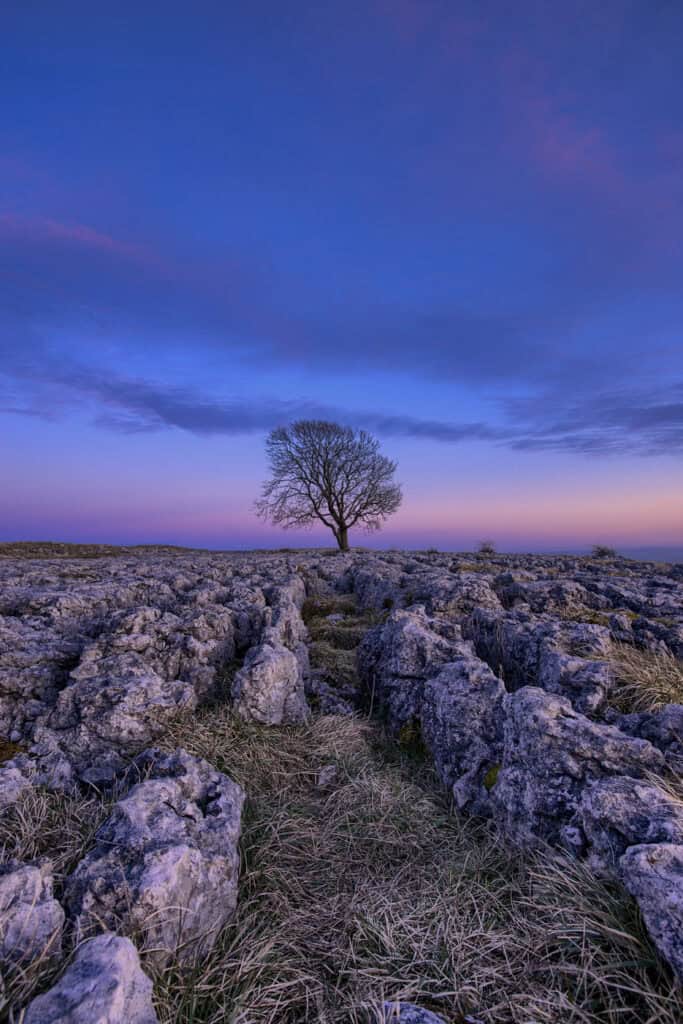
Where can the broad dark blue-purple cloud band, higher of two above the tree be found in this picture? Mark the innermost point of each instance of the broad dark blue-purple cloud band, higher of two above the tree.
(76, 277)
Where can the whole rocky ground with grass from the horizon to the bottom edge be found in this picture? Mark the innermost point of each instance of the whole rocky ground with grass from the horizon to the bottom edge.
(304, 787)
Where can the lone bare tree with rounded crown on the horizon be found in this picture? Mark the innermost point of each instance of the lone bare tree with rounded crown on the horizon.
(322, 471)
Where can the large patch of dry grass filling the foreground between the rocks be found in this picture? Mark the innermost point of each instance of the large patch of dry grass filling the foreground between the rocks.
(371, 889)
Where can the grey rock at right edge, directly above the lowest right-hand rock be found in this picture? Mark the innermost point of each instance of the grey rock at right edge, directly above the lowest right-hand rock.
(617, 814)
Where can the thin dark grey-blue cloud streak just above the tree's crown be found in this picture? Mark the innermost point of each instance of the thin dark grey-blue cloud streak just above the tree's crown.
(642, 423)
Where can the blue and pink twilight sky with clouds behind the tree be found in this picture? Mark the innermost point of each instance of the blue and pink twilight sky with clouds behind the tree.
(456, 225)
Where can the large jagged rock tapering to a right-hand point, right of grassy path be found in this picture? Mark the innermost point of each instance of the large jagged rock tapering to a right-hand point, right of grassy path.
(550, 754)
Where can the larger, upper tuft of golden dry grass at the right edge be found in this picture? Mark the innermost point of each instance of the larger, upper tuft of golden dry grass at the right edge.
(646, 680)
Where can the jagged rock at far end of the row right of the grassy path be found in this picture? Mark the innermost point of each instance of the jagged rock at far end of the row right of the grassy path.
(396, 660)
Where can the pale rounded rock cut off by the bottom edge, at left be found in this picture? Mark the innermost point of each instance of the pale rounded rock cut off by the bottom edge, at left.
(104, 985)
